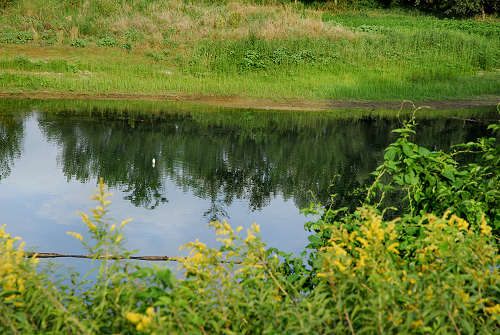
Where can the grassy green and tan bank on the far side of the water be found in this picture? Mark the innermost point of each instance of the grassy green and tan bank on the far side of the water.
(244, 49)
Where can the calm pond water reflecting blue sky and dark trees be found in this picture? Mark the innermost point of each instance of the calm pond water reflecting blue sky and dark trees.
(243, 166)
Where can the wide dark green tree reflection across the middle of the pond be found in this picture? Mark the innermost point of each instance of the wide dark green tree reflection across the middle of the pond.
(252, 156)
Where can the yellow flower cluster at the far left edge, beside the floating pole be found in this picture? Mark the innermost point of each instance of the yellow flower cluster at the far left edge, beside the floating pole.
(12, 275)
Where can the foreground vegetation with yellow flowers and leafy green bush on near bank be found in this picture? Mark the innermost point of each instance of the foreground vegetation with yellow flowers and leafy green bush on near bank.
(429, 266)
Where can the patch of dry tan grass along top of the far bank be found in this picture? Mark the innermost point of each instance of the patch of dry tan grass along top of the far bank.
(176, 20)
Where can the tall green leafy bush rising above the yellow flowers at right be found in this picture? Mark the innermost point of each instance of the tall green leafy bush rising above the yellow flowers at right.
(434, 181)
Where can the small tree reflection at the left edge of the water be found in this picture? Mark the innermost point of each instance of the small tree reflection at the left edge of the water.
(11, 140)
